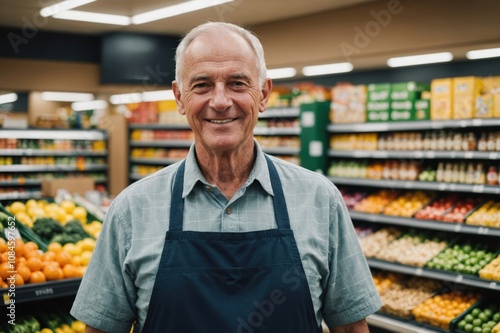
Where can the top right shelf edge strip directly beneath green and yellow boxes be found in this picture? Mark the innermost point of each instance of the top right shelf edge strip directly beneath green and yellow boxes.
(412, 125)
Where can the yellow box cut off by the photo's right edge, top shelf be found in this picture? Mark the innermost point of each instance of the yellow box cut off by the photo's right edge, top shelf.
(487, 104)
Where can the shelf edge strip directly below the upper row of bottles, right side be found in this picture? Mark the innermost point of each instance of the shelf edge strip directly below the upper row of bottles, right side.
(415, 154)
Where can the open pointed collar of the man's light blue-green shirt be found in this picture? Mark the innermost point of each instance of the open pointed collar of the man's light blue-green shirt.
(259, 172)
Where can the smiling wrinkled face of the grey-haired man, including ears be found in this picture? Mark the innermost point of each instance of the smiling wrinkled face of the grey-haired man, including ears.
(221, 96)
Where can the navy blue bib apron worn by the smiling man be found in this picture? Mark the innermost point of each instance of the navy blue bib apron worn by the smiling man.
(230, 282)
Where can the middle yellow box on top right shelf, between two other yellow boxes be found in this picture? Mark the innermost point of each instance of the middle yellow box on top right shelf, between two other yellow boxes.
(465, 91)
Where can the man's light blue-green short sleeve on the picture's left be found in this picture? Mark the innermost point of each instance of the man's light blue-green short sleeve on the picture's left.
(106, 296)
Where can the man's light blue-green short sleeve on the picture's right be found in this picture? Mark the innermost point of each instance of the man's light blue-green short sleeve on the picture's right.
(350, 292)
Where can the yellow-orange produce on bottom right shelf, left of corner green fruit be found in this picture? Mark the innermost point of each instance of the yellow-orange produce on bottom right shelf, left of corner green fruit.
(441, 309)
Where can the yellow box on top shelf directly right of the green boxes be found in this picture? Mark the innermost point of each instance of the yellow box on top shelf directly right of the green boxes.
(441, 99)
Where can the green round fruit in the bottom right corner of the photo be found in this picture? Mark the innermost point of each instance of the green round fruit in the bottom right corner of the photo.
(480, 318)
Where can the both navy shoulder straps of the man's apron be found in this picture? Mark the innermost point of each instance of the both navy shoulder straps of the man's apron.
(177, 202)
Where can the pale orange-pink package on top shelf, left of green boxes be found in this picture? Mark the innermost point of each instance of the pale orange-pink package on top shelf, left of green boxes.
(348, 104)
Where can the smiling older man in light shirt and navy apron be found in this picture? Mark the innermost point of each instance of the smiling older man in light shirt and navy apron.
(229, 239)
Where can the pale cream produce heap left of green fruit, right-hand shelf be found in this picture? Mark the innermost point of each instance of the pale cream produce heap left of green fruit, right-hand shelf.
(413, 248)
